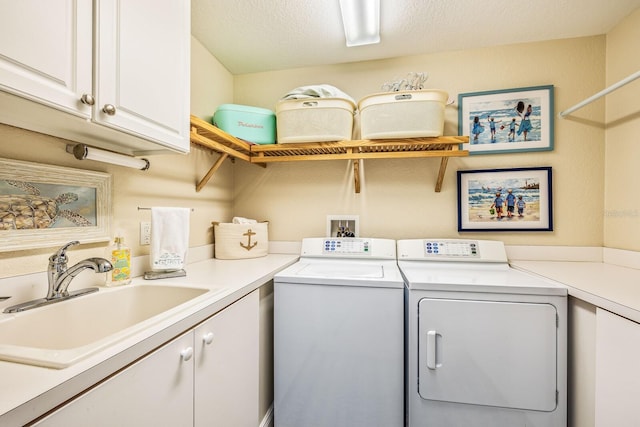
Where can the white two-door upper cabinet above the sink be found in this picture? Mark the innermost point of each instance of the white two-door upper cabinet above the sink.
(111, 73)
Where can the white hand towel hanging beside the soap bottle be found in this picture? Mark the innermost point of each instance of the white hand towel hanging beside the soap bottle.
(169, 238)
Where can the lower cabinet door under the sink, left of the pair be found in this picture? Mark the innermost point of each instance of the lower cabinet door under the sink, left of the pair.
(156, 391)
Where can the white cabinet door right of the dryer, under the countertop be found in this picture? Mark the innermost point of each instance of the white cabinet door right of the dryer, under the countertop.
(617, 371)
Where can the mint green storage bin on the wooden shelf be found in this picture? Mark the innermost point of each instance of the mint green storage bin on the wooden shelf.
(252, 124)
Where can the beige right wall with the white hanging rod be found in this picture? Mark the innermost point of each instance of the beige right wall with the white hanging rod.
(621, 203)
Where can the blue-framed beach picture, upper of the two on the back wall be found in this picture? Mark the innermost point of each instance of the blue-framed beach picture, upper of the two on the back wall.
(507, 121)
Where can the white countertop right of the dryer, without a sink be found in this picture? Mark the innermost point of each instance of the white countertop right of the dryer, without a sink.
(612, 287)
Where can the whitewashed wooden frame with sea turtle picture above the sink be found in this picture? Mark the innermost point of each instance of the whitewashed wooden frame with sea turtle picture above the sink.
(45, 206)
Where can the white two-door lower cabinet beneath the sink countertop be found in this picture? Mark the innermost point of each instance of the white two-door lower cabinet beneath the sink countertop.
(205, 377)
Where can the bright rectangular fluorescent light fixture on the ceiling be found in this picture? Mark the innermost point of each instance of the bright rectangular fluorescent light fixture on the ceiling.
(361, 20)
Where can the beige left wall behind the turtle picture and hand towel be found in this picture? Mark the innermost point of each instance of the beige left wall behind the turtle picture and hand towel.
(169, 182)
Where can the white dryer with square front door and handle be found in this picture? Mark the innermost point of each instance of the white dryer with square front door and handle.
(486, 344)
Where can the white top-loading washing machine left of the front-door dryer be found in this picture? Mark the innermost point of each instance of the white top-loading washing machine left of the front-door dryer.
(339, 336)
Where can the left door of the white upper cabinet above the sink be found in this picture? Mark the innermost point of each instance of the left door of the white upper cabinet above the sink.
(45, 52)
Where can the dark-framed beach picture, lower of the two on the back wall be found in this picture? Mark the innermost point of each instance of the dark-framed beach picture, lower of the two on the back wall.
(516, 199)
